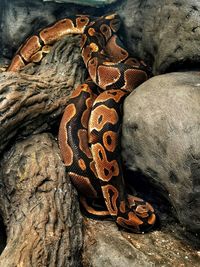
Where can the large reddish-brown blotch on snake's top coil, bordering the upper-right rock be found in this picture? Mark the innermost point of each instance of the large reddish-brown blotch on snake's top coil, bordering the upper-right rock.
(116, 52)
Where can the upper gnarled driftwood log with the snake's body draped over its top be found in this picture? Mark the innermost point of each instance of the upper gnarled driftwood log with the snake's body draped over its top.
(33, 103)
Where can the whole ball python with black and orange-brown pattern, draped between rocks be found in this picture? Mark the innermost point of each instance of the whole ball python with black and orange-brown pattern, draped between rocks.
(89, 133)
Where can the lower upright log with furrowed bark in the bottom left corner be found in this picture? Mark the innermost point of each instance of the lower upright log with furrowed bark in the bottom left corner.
(39, 206)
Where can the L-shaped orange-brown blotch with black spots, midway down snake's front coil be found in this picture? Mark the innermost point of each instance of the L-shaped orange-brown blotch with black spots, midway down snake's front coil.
(105, 169)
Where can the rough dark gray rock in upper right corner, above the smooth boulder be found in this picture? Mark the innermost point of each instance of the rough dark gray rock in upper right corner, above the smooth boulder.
(166, 33)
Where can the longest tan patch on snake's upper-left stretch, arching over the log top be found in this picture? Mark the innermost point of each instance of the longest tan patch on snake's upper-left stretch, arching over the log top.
(58, 30)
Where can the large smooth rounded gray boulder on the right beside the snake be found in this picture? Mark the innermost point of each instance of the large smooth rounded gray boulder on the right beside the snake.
(161, 133)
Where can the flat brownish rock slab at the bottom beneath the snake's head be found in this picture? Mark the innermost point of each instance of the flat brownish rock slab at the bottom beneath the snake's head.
(105, 246)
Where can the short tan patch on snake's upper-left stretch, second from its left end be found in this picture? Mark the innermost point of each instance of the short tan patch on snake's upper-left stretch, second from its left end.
(31, 46)
